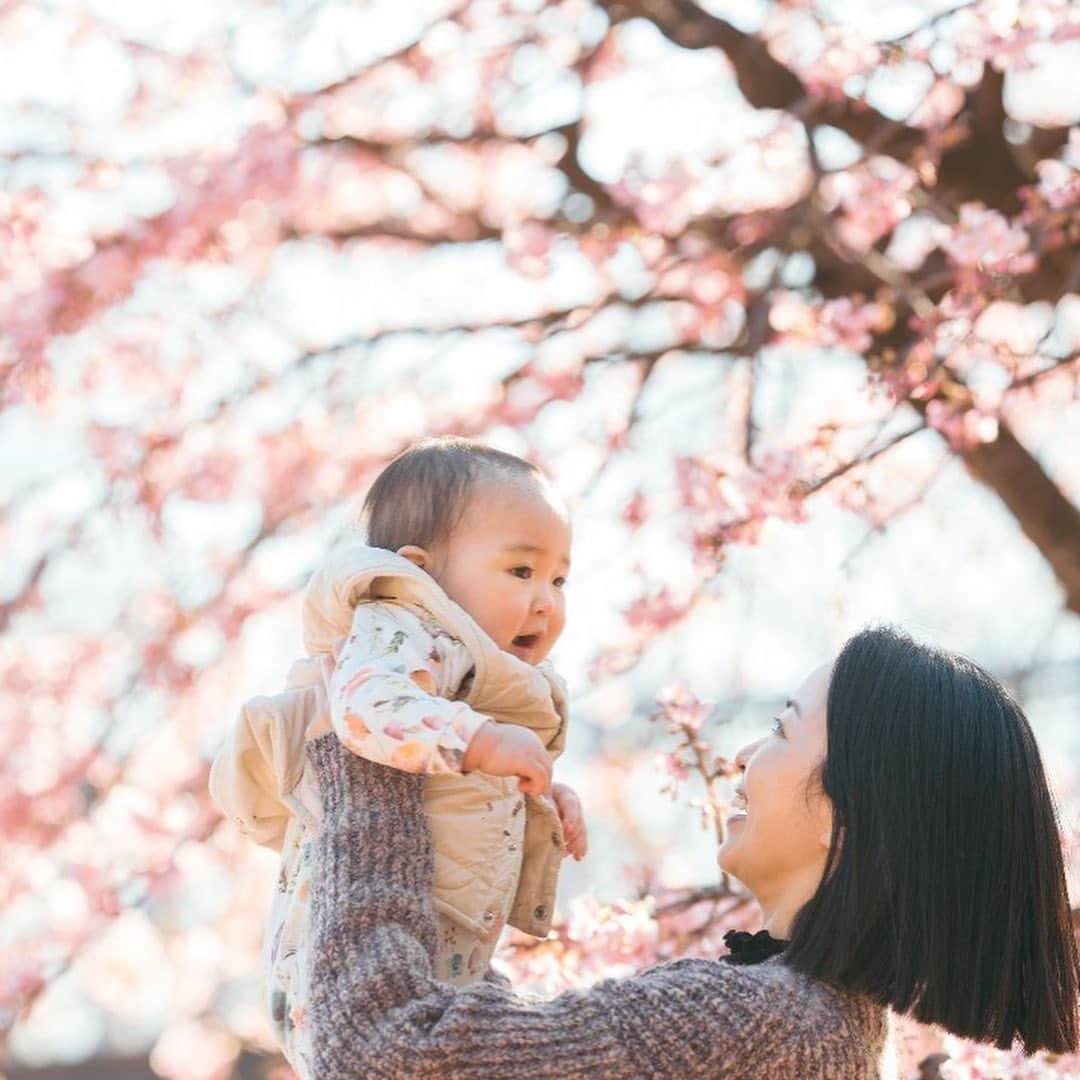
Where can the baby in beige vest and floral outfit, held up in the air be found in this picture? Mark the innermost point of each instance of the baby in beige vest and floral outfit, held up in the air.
(427, 652)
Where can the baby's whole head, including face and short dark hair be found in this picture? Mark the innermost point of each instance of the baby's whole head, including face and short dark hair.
(489, 528)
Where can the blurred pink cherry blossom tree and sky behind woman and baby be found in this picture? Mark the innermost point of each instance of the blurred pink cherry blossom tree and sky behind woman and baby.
(786, 296)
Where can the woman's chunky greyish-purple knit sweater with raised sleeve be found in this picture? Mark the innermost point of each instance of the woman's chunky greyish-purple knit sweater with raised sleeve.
(377, 1011)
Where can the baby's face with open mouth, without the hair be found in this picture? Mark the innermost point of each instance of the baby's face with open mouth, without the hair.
(507, 563)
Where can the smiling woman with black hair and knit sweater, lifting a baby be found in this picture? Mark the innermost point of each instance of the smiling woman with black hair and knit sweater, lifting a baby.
(896, 829)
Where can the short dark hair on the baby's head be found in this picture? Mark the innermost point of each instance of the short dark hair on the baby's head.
(422, 496)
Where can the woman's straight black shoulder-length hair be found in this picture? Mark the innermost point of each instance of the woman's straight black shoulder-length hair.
(944, 889)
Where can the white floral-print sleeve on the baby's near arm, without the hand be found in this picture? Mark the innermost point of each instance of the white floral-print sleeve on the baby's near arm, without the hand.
(385, 693)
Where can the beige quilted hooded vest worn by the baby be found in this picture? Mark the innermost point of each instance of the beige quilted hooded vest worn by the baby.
(260, 779)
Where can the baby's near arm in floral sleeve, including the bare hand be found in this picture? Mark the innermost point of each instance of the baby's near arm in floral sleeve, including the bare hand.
(390, 705)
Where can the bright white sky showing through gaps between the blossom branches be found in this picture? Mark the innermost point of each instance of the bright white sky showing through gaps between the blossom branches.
(954, 571)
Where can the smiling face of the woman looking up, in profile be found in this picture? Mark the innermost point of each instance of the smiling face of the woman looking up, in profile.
(778, 836)
